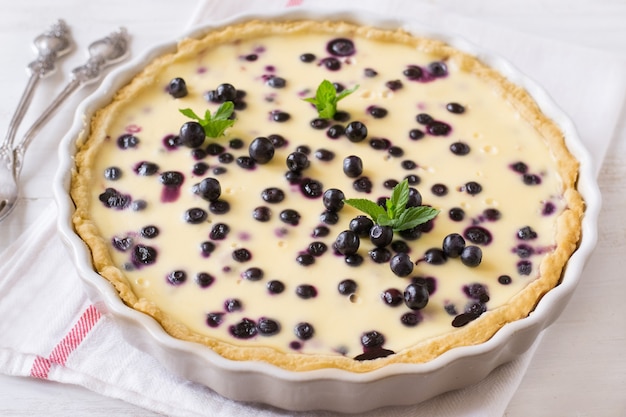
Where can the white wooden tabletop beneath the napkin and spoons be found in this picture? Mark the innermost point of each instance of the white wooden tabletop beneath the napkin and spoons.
(580, 366)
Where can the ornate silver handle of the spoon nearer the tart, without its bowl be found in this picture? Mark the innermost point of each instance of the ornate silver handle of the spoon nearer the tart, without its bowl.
(102, 53)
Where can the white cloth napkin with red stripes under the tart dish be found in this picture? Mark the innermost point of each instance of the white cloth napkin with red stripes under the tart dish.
(50, 330)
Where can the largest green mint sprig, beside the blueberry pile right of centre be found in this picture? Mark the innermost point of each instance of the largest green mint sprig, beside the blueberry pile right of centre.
(396, 214)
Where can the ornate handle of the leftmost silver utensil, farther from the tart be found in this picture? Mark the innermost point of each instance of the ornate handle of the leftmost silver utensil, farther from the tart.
(49, 46)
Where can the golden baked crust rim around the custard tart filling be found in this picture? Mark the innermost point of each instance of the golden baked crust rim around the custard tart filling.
(568, 231)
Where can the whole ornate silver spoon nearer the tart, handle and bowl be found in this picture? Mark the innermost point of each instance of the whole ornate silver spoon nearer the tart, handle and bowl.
(102, 53)
